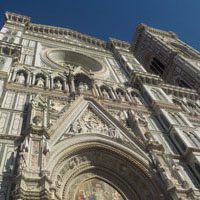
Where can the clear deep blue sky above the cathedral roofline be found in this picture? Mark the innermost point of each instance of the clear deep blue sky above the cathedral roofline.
(113, 18)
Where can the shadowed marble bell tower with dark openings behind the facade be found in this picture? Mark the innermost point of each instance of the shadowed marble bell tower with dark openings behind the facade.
(164, 54)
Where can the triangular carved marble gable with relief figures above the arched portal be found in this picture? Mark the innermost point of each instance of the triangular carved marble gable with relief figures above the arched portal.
(88, 117)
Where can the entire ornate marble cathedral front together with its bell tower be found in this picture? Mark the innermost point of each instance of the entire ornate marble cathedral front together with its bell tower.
(87, 119)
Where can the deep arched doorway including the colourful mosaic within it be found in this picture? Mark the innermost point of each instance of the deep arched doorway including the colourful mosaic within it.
(100, 170)
